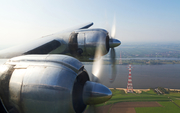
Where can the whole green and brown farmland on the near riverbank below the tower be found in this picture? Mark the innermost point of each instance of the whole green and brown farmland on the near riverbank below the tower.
(144, 102)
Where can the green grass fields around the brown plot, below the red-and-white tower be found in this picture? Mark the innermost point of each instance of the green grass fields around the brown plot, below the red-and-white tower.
(170, 102)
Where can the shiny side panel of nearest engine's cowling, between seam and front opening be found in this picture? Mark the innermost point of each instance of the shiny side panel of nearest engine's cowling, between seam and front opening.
(47, 89)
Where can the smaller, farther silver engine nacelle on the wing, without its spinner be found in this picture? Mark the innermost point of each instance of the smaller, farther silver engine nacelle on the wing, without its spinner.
(85, 42)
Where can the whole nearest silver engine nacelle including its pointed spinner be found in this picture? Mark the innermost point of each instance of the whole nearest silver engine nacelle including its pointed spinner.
(48, 84)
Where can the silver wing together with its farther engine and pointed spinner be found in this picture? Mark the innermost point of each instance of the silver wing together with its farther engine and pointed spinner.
(82, 46)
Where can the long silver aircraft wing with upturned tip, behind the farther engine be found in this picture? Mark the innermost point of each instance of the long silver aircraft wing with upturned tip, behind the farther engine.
(43, 45)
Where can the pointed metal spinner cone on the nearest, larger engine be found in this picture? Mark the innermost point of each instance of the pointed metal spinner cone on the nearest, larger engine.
(95, 93)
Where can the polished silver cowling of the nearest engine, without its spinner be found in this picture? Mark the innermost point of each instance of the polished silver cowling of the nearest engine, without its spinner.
(40, 83)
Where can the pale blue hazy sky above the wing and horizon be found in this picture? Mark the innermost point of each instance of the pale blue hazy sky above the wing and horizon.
(136, 20)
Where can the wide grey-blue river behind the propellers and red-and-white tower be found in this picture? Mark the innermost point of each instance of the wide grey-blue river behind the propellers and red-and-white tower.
(143, 76)
